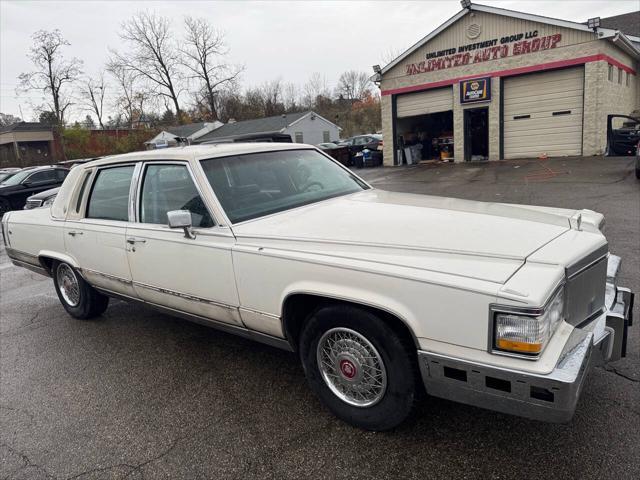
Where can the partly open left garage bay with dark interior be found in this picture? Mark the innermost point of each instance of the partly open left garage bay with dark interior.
(424, 125)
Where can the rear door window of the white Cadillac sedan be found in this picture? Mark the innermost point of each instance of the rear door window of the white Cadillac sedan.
(109, 199)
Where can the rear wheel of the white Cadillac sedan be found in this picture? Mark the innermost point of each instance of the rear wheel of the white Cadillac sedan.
(78, 298)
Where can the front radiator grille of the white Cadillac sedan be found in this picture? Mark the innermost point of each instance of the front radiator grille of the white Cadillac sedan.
(586, 286)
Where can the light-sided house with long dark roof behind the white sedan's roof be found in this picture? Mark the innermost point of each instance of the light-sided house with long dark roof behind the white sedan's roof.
(304, 127)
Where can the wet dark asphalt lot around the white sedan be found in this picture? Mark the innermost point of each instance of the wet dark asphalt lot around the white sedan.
(140, 395)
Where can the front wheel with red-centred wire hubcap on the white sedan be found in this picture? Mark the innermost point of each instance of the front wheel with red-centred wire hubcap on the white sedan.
(359, 367)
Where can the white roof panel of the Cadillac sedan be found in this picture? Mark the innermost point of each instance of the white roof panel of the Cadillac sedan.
(199, 152)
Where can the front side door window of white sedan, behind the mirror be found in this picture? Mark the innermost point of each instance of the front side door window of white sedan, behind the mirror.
(170, 187)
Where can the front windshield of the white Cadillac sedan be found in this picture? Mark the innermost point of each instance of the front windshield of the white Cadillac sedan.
(258, 184)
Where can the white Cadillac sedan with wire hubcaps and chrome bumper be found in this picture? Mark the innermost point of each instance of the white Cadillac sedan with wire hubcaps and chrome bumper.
(383, 294)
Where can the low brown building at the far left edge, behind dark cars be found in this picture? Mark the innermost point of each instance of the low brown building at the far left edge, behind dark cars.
(25, 144)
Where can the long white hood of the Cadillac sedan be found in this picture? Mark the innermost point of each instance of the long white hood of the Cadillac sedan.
(420, 231)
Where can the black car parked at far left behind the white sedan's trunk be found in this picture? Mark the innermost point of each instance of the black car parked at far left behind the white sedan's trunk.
(15, 190)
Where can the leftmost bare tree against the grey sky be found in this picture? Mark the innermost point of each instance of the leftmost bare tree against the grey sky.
(52, 73)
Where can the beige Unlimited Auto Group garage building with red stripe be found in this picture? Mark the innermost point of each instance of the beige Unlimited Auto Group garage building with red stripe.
(492, 84)
